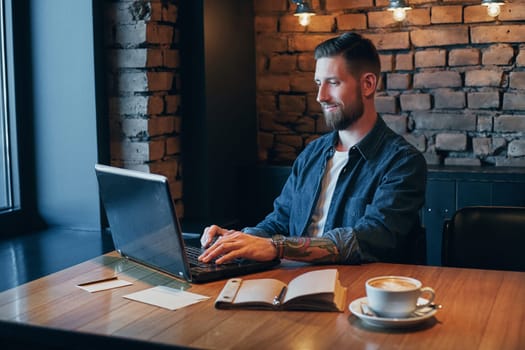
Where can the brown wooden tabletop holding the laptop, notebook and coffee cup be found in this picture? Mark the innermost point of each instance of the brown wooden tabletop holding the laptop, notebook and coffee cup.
(481, 310)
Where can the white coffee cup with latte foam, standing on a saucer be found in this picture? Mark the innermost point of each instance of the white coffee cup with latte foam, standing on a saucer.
(396, 296)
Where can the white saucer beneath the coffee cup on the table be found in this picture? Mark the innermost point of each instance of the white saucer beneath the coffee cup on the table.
(355, 308)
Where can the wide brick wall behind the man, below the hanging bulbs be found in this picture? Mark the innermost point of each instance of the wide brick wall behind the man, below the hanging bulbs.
(453, 78)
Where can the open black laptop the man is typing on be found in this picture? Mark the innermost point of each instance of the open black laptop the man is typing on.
(145, 228)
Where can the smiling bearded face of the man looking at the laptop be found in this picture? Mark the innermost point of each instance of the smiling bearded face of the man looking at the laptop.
(339, 93)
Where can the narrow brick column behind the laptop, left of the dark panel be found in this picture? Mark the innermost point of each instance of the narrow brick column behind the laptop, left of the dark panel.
(143, 72)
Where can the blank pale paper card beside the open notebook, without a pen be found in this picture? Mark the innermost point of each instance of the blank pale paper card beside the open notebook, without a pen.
(168, 298)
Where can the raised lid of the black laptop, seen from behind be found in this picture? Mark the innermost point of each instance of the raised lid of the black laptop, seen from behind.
(142, 218)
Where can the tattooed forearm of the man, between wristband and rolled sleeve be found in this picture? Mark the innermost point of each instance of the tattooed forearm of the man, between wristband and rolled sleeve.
(318, 250)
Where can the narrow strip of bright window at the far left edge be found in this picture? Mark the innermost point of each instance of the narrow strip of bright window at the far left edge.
(9, 181)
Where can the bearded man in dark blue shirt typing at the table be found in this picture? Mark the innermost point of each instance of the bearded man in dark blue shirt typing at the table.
(354, 194)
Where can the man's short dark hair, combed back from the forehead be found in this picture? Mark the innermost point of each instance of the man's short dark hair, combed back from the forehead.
(360, 53)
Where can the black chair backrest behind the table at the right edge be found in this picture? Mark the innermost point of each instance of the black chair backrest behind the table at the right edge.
(486, 237)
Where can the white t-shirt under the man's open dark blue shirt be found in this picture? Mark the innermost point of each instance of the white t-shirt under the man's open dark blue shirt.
(333, 168)
